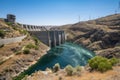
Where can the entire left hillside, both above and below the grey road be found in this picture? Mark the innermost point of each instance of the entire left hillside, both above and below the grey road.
(17, 57)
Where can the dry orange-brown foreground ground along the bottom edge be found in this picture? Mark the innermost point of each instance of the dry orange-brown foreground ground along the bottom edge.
(85, 75)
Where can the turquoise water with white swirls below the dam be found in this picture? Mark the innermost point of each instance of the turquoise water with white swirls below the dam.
(65, 54)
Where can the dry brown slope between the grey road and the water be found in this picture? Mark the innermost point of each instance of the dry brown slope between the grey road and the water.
(19, 62)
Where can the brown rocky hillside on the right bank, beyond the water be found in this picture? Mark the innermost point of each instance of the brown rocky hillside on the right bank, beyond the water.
(101, 35)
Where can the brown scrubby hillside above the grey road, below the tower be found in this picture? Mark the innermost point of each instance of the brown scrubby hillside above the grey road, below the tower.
(9, 30)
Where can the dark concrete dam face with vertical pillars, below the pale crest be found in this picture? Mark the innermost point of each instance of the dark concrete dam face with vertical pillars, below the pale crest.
(50, 38)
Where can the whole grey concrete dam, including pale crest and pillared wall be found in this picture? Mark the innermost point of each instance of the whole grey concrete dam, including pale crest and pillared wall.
(51, 38)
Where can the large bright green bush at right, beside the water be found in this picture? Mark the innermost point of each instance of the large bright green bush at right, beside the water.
(100, 63)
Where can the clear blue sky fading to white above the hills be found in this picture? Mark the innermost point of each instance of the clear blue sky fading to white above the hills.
(57, 12)
